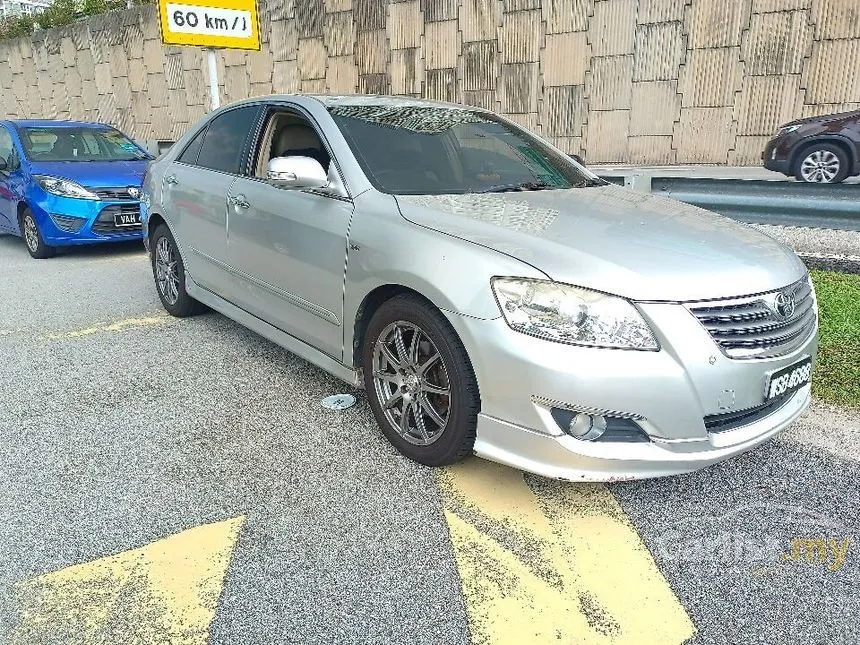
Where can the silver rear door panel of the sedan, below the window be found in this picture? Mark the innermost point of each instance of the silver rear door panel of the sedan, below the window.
(195, 202)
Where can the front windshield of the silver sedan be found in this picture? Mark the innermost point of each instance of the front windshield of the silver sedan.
(408, 150)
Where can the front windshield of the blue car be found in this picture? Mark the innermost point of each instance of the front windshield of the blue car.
(79, 144)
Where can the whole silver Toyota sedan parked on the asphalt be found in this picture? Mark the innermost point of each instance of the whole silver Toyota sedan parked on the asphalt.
(490, 294)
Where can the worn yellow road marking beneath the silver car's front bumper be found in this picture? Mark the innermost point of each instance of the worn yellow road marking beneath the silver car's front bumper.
(556, 563)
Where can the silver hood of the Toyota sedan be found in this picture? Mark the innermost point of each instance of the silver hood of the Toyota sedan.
(615, 240)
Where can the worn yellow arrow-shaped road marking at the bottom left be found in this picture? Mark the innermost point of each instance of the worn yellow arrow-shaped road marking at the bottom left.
(165, 592)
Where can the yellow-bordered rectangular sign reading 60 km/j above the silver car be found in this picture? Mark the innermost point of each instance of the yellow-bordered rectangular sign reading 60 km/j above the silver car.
(227, 24)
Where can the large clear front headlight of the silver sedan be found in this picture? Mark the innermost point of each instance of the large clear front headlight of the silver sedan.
(568, 314)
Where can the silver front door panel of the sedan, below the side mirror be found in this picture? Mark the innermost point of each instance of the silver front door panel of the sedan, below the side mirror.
(288, 248)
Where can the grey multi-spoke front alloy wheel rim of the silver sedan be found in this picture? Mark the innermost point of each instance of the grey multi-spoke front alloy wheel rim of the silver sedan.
(411, 383)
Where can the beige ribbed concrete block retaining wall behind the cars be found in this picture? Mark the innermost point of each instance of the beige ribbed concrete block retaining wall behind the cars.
(618, 81)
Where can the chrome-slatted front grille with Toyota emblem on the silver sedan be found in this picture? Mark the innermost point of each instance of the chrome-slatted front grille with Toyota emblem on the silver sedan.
(755, 326)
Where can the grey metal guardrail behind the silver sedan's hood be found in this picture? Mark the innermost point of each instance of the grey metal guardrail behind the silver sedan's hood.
(756, 201)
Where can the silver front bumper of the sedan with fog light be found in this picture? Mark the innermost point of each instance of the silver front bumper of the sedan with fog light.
(671, 391)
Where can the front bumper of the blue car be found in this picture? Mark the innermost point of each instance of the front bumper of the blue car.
(64, 221)
